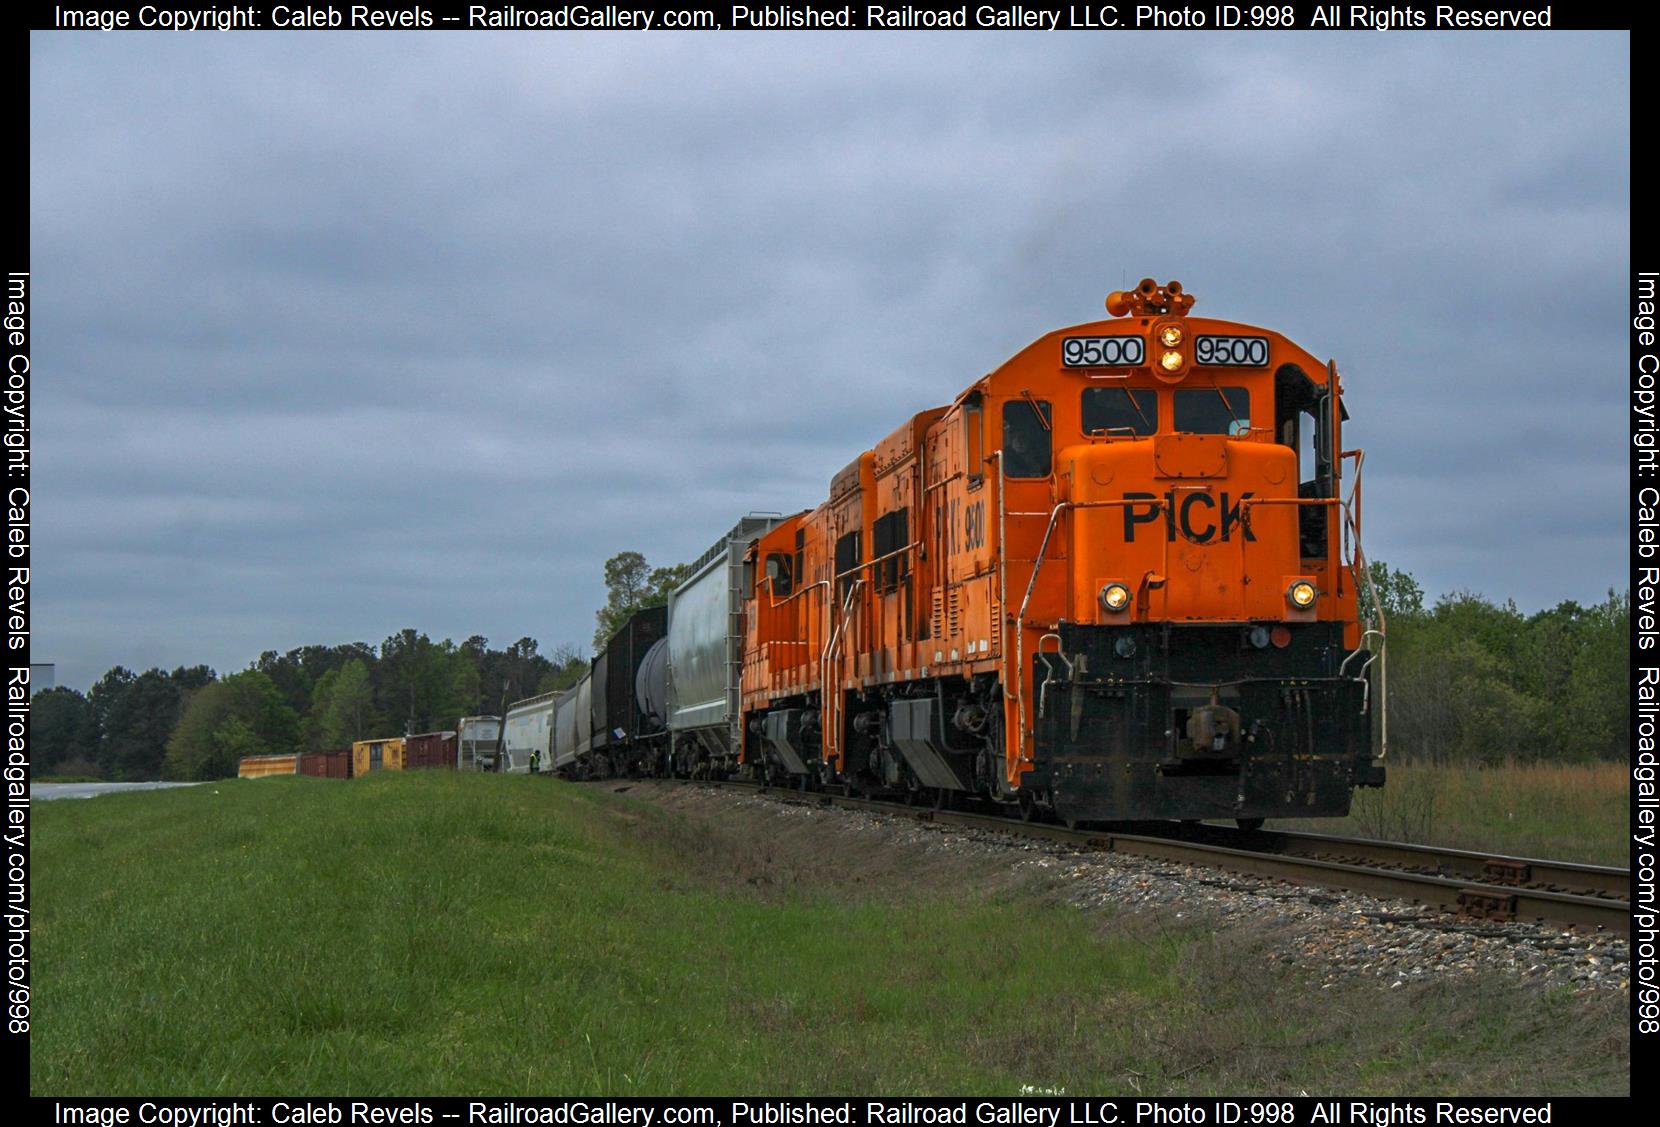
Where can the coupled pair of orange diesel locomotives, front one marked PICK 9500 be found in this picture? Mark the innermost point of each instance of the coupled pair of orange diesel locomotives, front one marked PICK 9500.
(1118, 578)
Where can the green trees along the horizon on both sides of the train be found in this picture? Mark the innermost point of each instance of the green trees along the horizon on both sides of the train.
(1470, 683)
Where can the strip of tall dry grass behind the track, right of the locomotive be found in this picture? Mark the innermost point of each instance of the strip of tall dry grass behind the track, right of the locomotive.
(1566, 812)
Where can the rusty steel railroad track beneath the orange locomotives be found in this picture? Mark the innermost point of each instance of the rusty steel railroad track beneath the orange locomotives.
(1463, 882)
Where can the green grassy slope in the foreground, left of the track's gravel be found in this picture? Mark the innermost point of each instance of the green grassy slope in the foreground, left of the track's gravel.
(436, 934)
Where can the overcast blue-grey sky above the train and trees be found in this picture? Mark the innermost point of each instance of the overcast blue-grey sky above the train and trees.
(346, 333)
